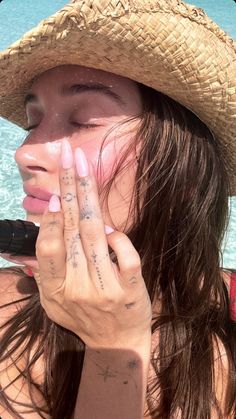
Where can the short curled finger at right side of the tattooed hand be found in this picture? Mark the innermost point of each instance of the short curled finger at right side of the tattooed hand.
(129, 261)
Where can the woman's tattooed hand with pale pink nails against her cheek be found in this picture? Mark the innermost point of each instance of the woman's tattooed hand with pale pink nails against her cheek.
(105, 304)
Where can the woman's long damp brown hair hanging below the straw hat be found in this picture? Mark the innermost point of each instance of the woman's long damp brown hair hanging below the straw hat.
(180, 213)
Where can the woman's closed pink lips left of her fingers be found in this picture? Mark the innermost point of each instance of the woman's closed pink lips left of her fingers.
(36, 200)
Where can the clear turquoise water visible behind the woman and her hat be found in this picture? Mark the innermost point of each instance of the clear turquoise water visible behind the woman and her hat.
(16, 17)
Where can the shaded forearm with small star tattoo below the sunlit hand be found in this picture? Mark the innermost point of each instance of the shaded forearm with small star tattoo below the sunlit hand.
(113, 384)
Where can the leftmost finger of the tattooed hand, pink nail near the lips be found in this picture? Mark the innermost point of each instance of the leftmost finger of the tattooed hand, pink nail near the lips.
(50, 247)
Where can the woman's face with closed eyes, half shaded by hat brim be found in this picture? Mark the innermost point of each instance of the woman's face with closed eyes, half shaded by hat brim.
(81, 105)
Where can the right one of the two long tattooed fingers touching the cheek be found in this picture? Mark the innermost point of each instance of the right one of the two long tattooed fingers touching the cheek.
(91, 225)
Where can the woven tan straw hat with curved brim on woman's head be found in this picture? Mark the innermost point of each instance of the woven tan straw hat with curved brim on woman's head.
(165, 44)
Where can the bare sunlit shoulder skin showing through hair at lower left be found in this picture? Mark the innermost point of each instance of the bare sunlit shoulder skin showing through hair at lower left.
(14, 287)
